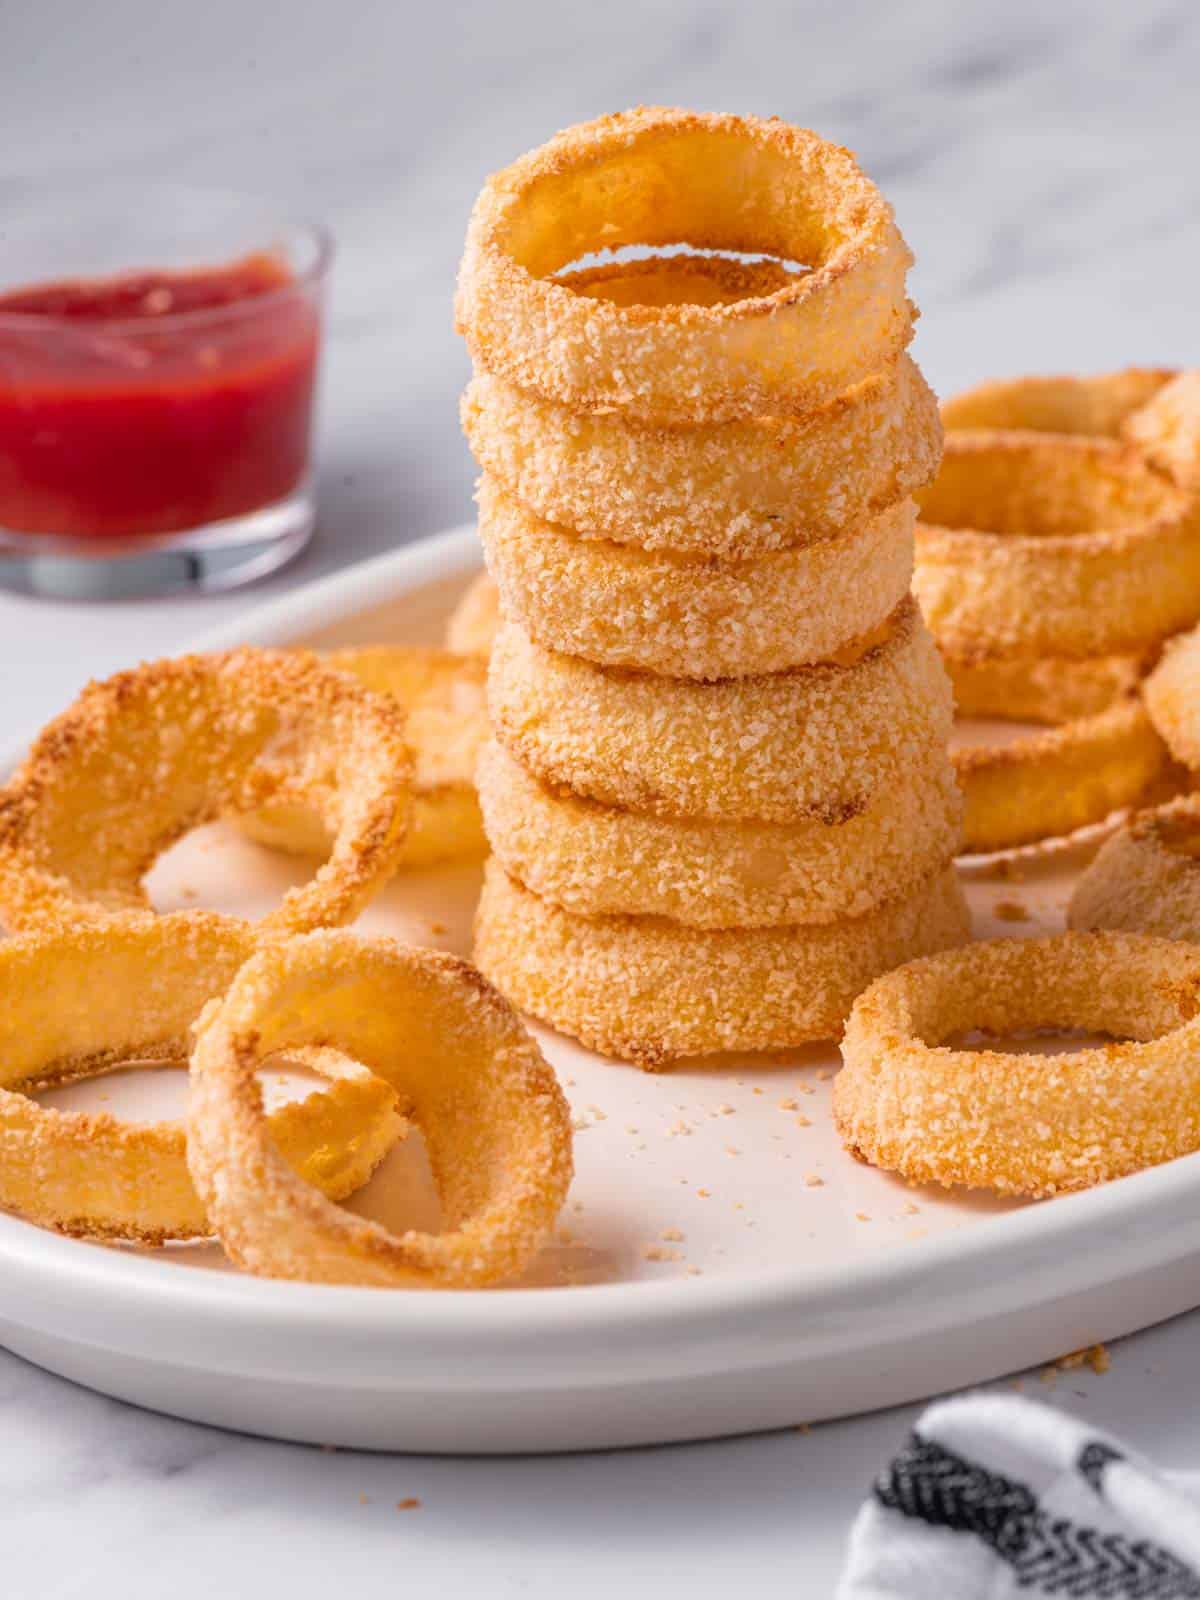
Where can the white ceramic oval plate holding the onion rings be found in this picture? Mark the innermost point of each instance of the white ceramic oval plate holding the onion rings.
(724, 1265)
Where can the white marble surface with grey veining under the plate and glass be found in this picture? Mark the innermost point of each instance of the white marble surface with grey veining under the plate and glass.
(1042, 166)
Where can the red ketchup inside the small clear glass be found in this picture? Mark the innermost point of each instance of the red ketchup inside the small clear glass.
(154, 402)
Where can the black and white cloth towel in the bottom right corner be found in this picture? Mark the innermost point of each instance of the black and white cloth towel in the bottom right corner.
(996, 1497)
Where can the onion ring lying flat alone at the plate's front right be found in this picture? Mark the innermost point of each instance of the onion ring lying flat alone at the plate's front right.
(1039, 1126)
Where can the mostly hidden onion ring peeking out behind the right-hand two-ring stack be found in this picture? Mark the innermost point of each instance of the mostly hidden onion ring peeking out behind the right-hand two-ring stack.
(1100, 406)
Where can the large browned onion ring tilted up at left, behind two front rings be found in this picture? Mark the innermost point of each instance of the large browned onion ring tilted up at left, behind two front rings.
(150, 754)
